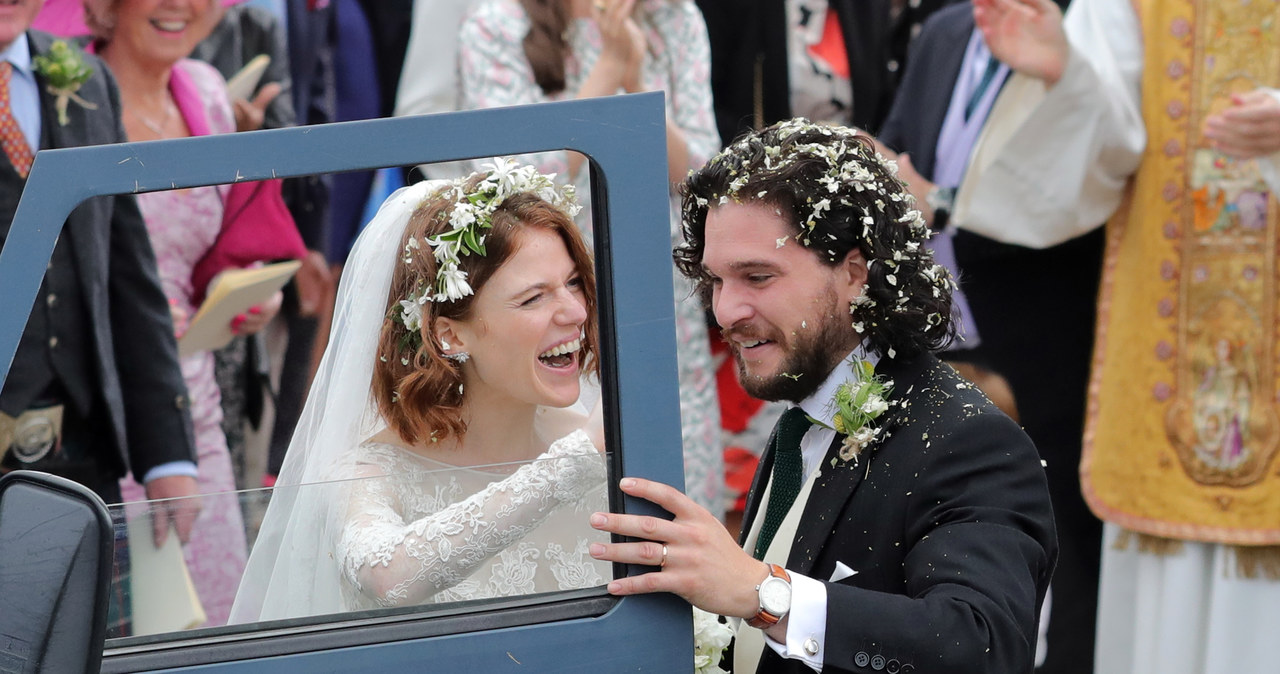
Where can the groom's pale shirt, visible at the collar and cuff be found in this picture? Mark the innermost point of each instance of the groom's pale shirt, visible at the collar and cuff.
(807, 622)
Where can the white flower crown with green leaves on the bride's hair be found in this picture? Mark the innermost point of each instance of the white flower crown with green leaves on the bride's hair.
(470, 217)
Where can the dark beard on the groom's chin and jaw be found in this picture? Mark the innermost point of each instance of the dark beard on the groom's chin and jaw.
(815, 354)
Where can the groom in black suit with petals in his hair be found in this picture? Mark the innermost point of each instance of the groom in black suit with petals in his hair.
(920, 537)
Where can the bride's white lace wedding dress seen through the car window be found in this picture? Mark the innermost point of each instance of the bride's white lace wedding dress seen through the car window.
(419, 531)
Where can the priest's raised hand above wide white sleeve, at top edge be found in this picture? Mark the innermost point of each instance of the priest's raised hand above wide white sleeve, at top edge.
(1026, 35)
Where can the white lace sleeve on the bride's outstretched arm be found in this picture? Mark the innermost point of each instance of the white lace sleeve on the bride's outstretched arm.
(404, 563)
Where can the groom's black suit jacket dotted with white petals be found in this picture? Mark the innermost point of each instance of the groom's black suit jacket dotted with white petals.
(948, 522)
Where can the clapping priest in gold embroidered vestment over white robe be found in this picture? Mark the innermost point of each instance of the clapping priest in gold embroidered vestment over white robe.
(1163, 121)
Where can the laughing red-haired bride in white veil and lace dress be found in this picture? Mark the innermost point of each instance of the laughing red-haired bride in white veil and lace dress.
(442, 453)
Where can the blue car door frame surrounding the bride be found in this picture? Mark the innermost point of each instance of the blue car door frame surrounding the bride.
(582, 631)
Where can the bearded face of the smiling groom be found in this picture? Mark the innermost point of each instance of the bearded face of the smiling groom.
(785, 313)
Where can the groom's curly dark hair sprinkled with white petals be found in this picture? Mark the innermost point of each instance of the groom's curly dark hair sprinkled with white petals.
(838, 194)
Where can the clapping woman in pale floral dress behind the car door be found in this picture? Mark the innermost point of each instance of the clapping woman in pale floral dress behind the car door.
(524, 52)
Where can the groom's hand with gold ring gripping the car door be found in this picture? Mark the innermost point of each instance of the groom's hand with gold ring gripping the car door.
(703, 563)
